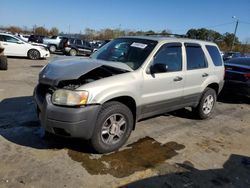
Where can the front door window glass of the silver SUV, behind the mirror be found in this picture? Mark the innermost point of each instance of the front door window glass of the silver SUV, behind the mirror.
(170, 55)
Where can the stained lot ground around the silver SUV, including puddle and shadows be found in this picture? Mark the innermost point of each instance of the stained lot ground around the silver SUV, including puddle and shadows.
(172, 150)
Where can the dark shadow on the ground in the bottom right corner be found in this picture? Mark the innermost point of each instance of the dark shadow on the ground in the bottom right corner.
(235, 173)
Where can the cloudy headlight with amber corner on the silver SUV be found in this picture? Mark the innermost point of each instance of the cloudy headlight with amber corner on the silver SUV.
(69, 97)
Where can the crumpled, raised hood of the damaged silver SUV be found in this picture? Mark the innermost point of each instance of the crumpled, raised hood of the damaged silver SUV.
(69, 68)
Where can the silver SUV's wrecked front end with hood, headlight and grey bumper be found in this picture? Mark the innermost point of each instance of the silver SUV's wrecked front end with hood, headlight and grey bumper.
(61, 108)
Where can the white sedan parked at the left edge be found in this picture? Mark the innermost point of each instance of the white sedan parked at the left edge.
(14, 46)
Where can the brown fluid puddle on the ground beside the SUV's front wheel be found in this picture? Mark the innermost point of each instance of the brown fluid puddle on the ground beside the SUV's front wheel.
(141, 155)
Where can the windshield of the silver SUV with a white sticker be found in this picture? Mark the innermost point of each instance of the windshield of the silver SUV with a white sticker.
(130, 51)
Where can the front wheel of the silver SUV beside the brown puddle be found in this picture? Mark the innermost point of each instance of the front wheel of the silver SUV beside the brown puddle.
(108, 134)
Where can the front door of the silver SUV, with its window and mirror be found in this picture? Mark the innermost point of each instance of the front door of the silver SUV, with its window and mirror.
(163, 89)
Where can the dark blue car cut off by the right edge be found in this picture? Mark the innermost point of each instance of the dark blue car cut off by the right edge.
(237, 75)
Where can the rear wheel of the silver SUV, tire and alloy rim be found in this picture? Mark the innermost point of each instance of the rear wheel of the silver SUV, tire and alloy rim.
(206, 105)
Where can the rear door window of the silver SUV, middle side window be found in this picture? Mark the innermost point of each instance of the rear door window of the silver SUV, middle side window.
(195, 57)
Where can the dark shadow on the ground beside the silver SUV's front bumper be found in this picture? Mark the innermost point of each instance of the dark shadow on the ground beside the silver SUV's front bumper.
(19, 124)
